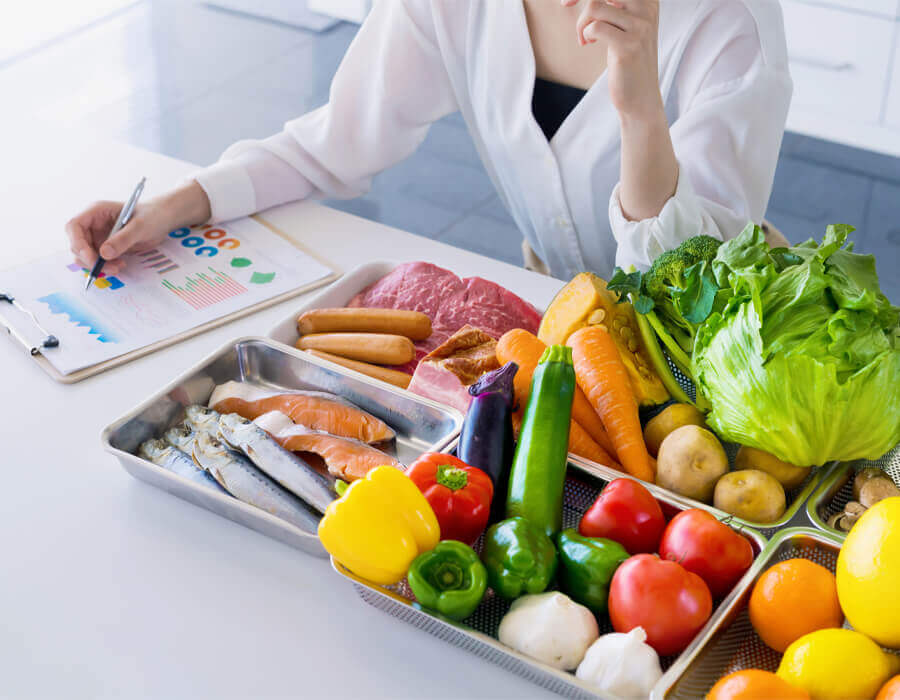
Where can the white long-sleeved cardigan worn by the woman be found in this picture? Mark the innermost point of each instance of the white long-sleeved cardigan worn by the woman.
(724, 80)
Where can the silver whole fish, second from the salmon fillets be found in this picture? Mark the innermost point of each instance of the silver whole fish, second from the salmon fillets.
(246, 483)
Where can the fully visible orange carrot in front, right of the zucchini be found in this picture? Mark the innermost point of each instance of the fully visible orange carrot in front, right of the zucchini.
(602, 376)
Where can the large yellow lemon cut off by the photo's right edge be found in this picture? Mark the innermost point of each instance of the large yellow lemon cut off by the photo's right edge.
(868, 573)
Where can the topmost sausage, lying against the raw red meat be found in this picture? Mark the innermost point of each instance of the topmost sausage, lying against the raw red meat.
(412, 324)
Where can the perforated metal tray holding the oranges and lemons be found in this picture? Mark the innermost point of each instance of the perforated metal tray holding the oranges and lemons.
(729, 644)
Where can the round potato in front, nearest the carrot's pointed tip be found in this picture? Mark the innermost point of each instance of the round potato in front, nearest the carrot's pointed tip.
(691, 460)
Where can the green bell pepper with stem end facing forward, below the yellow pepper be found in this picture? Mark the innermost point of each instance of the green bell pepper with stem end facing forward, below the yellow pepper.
(449, 579)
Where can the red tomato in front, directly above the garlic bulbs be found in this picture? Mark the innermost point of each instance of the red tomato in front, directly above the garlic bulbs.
(663, 597)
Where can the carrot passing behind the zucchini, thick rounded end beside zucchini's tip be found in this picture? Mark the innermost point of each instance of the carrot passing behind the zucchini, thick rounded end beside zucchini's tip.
(525, 350)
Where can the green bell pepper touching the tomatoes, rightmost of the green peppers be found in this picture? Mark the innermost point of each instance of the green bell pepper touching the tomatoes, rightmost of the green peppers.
(587, 568)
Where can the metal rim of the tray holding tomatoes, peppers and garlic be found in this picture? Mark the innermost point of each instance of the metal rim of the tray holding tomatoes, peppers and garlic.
(606, 474)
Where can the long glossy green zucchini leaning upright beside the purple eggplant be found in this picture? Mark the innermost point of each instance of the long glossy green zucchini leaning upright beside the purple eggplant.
(538, 474)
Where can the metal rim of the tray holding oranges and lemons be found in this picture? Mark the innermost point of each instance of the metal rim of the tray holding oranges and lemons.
(683, 662)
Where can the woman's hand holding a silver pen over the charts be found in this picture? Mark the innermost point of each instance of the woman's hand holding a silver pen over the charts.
(89, 231)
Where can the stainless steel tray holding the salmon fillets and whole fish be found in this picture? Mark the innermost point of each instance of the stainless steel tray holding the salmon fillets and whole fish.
(421, 425)
